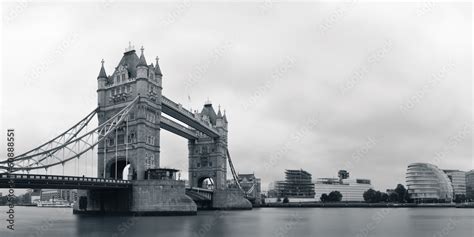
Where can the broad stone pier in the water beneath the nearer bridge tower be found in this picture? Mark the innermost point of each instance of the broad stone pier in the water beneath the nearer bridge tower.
(146, 197)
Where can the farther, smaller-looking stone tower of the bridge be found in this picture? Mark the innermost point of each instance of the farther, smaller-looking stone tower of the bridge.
(207, 155)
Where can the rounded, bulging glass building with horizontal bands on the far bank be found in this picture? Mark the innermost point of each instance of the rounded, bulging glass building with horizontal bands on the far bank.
(428, 183)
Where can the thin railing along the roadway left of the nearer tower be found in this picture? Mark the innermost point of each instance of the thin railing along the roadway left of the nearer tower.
(62, 178)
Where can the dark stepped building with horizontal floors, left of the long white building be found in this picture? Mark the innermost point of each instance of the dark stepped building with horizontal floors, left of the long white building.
(297, 184)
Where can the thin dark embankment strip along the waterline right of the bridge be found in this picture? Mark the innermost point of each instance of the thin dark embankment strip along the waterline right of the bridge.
(365, 205)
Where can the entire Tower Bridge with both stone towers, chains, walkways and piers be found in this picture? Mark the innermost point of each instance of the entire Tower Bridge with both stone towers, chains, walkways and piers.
(130, 114)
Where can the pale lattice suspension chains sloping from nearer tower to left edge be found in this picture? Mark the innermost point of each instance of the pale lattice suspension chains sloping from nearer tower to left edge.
(72, 144)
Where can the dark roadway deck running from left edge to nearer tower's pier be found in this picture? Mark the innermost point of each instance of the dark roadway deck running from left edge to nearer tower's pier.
(37, 181)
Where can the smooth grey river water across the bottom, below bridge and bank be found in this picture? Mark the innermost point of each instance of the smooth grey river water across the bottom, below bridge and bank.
(324, 222)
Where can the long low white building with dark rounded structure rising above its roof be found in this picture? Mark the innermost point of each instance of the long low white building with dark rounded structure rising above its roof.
(352, 190)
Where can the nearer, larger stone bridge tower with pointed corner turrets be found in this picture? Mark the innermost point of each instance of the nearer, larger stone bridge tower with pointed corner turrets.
(137, 142)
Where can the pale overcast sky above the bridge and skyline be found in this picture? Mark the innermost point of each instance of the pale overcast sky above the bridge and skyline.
(320, 86)
